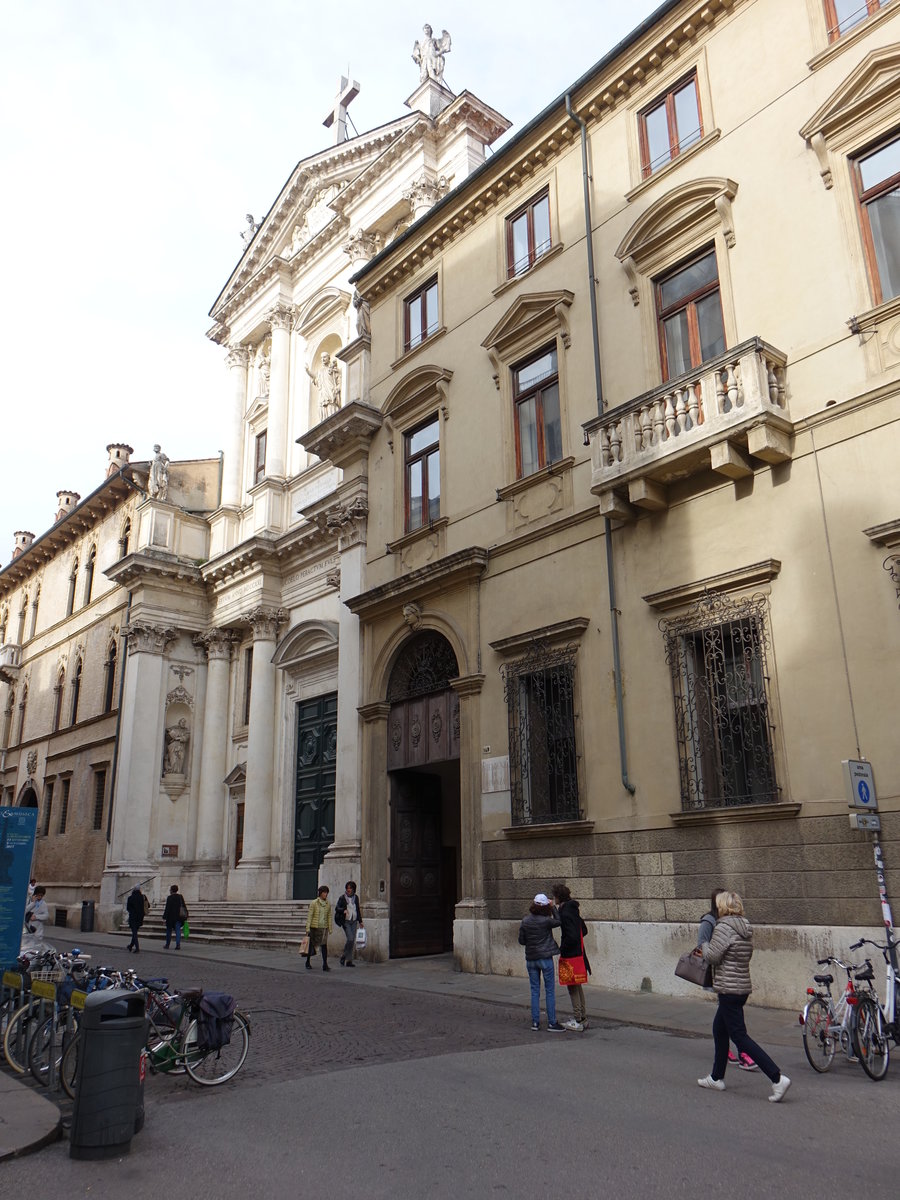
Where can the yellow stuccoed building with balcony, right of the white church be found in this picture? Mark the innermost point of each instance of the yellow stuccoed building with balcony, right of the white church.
(631, 436)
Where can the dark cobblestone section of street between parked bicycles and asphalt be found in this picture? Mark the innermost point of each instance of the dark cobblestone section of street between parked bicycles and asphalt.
(315, 1023)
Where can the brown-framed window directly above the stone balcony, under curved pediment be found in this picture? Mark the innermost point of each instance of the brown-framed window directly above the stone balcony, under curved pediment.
(691, 316)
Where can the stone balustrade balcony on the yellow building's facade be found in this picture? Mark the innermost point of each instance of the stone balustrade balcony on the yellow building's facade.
(719, 417)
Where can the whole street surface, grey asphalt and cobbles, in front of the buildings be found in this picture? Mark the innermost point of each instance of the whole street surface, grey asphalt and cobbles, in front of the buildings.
(361, 1087)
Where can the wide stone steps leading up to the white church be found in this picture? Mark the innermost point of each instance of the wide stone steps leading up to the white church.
(274, 925)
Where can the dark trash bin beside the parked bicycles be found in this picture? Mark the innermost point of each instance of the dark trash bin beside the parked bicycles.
(109, 1090)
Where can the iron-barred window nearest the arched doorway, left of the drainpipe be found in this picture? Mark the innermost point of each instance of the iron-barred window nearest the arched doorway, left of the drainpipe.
(541, 699)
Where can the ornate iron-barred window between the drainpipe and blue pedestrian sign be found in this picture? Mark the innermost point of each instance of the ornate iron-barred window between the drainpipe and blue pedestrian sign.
(721, 683)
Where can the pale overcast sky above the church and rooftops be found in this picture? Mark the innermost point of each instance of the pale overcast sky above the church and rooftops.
(135, 136)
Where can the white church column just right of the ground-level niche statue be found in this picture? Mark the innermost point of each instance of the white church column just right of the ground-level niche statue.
(212, 800)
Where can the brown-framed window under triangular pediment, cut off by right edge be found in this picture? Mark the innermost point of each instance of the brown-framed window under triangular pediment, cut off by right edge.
(878, 176)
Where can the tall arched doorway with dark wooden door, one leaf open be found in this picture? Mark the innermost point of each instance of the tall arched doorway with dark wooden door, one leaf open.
(424, 772)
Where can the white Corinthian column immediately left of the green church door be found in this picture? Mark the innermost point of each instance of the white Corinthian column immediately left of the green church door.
(261, 748)
